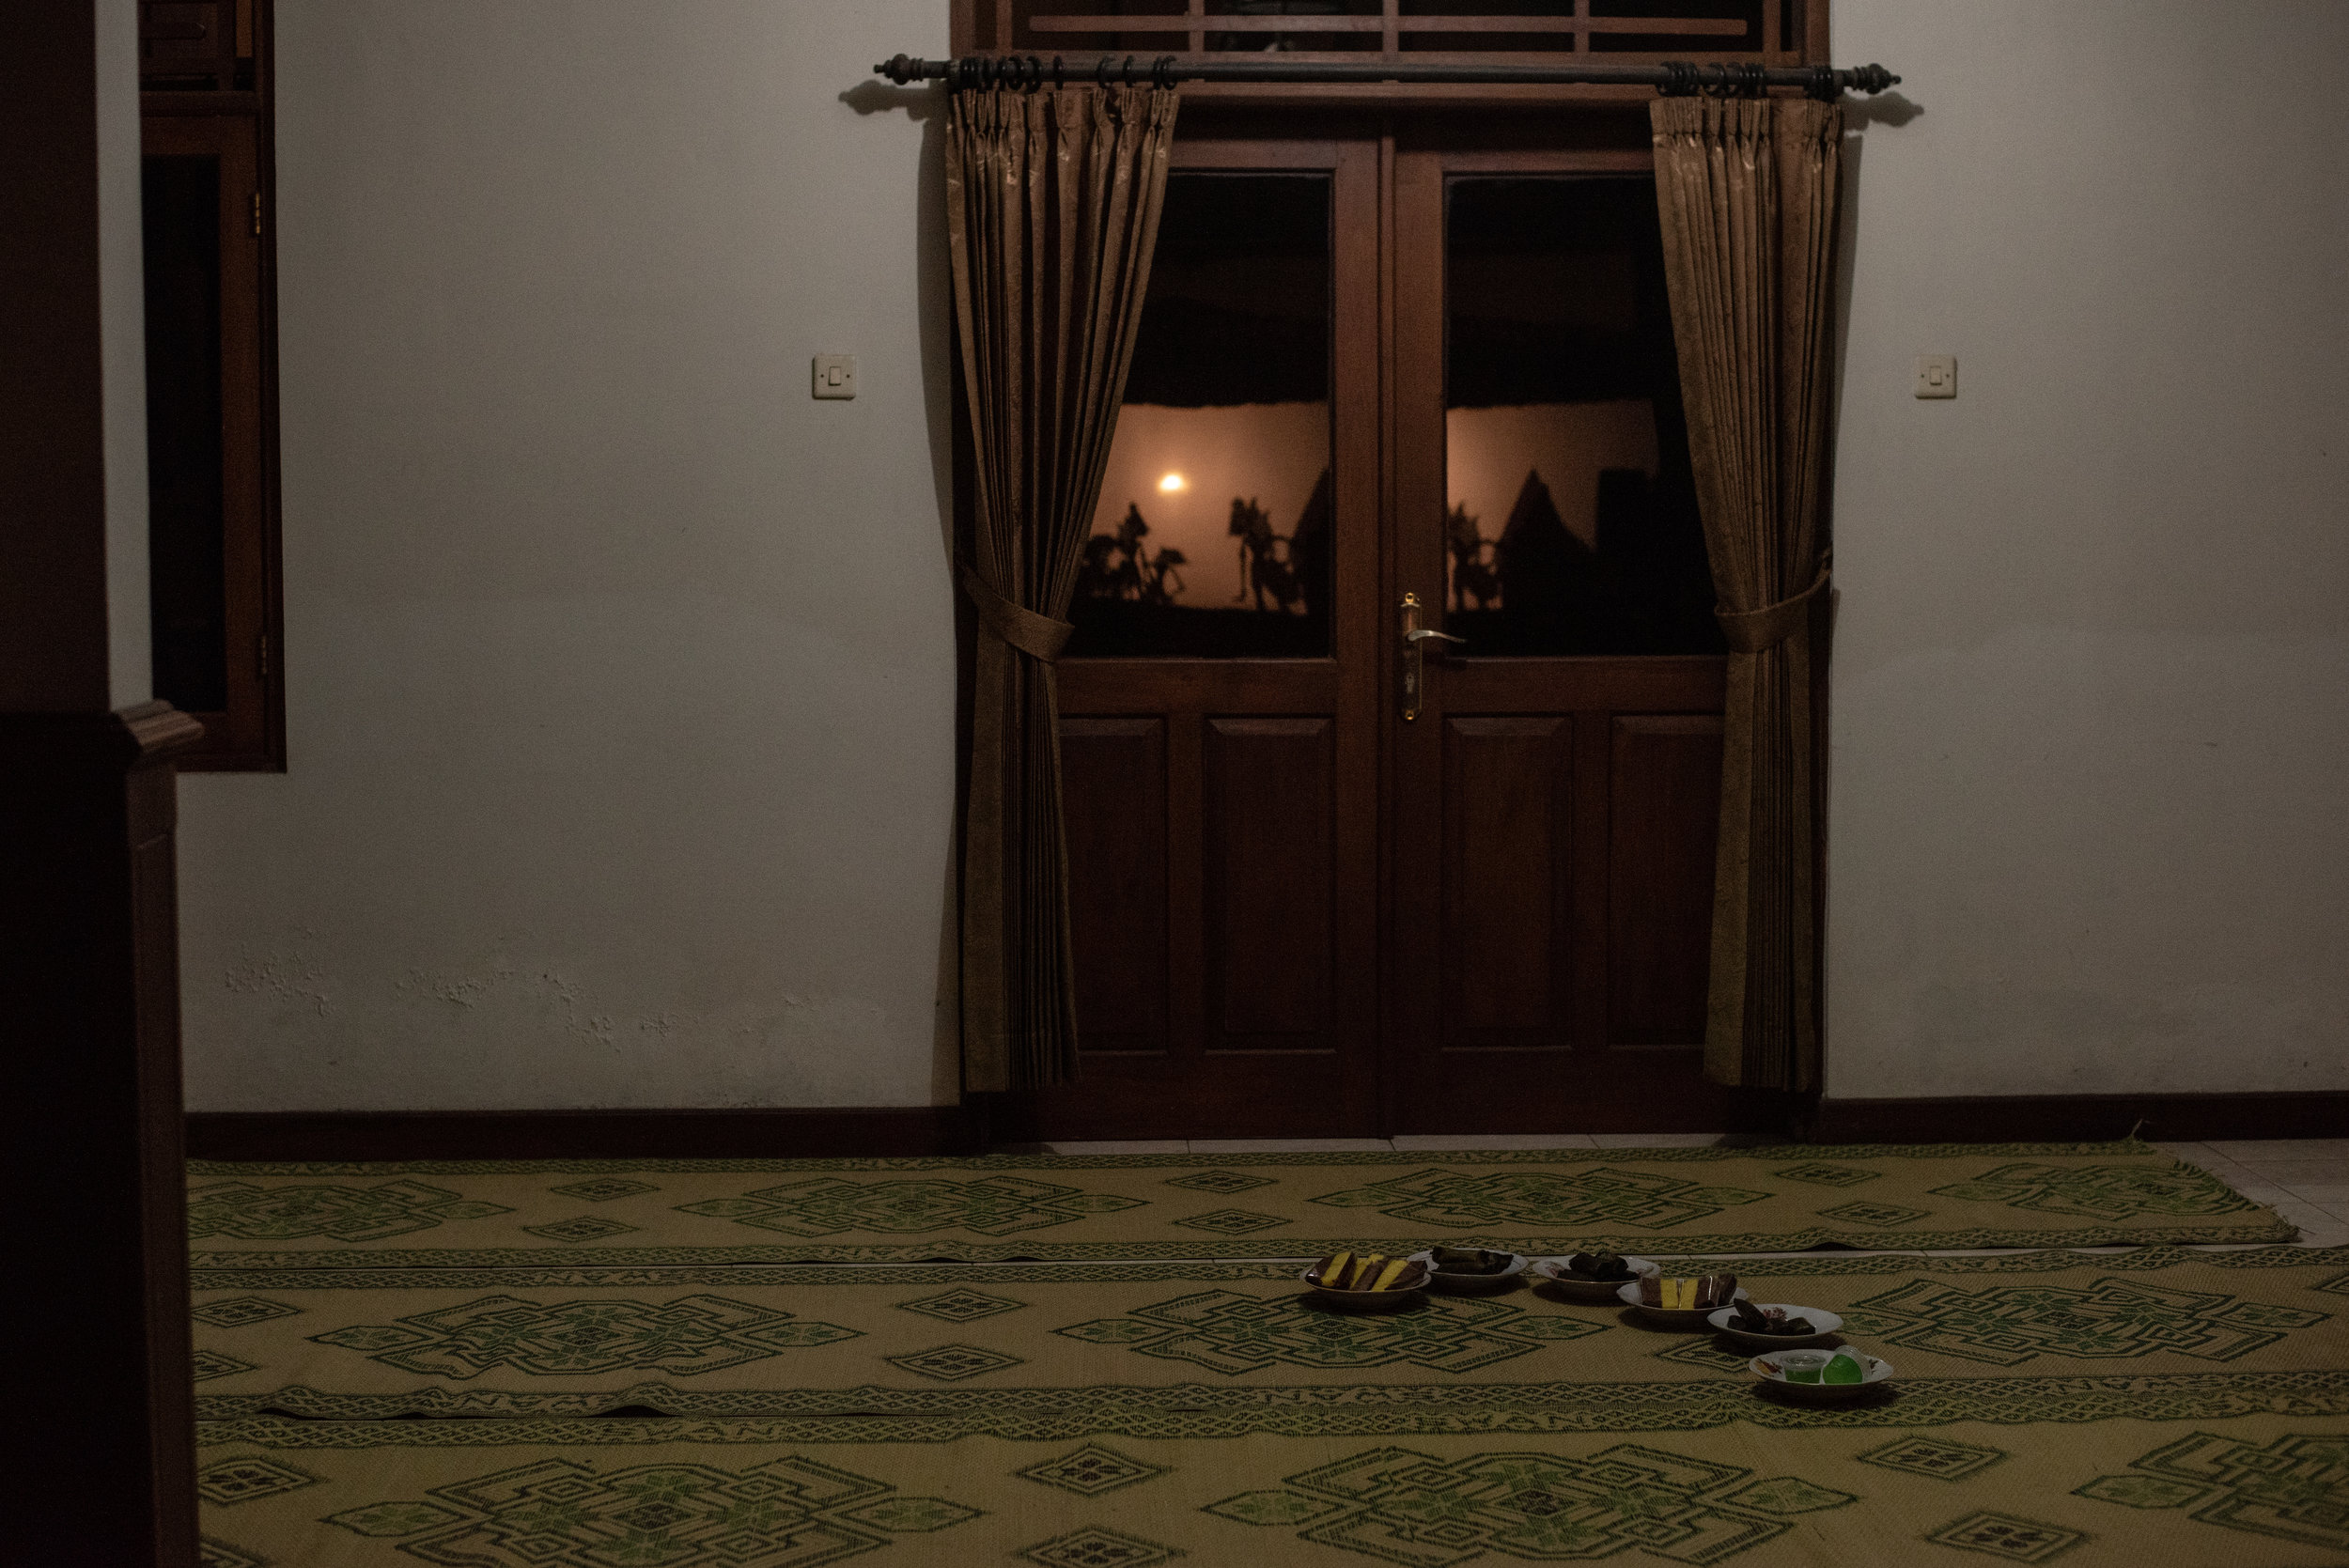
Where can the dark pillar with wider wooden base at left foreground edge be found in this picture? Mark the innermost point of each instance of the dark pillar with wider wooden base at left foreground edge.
(102, 1398)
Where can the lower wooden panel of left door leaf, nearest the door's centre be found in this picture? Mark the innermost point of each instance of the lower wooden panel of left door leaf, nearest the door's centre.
(1272, 865)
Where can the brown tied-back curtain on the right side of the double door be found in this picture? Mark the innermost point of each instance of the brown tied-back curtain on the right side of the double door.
(1746, 194)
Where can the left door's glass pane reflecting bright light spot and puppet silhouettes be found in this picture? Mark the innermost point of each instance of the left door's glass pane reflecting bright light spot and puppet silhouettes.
(1216, 525)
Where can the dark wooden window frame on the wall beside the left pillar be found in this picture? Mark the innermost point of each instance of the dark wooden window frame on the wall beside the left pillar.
(213, 95)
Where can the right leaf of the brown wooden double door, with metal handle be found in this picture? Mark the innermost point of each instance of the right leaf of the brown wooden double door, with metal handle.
(1556, 797)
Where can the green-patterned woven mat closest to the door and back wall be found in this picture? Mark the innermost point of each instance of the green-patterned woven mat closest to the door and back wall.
(1704, 1201)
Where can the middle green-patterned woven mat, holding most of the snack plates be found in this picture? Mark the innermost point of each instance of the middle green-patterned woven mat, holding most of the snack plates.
(1218, 1349)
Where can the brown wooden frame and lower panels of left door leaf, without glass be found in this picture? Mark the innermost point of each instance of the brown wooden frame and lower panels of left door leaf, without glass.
(1202, 743)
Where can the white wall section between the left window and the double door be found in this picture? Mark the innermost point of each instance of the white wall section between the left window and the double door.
(621, 675)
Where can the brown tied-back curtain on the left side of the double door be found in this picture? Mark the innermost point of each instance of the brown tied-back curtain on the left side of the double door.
(1051, 219)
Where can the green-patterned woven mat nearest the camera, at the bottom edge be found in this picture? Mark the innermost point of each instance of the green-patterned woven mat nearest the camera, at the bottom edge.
(2254, 1492)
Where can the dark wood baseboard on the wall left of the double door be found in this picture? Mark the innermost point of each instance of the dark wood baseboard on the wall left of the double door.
(586, 1135)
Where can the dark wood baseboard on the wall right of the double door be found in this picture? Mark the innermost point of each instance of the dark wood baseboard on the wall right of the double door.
(2045, 1118)
